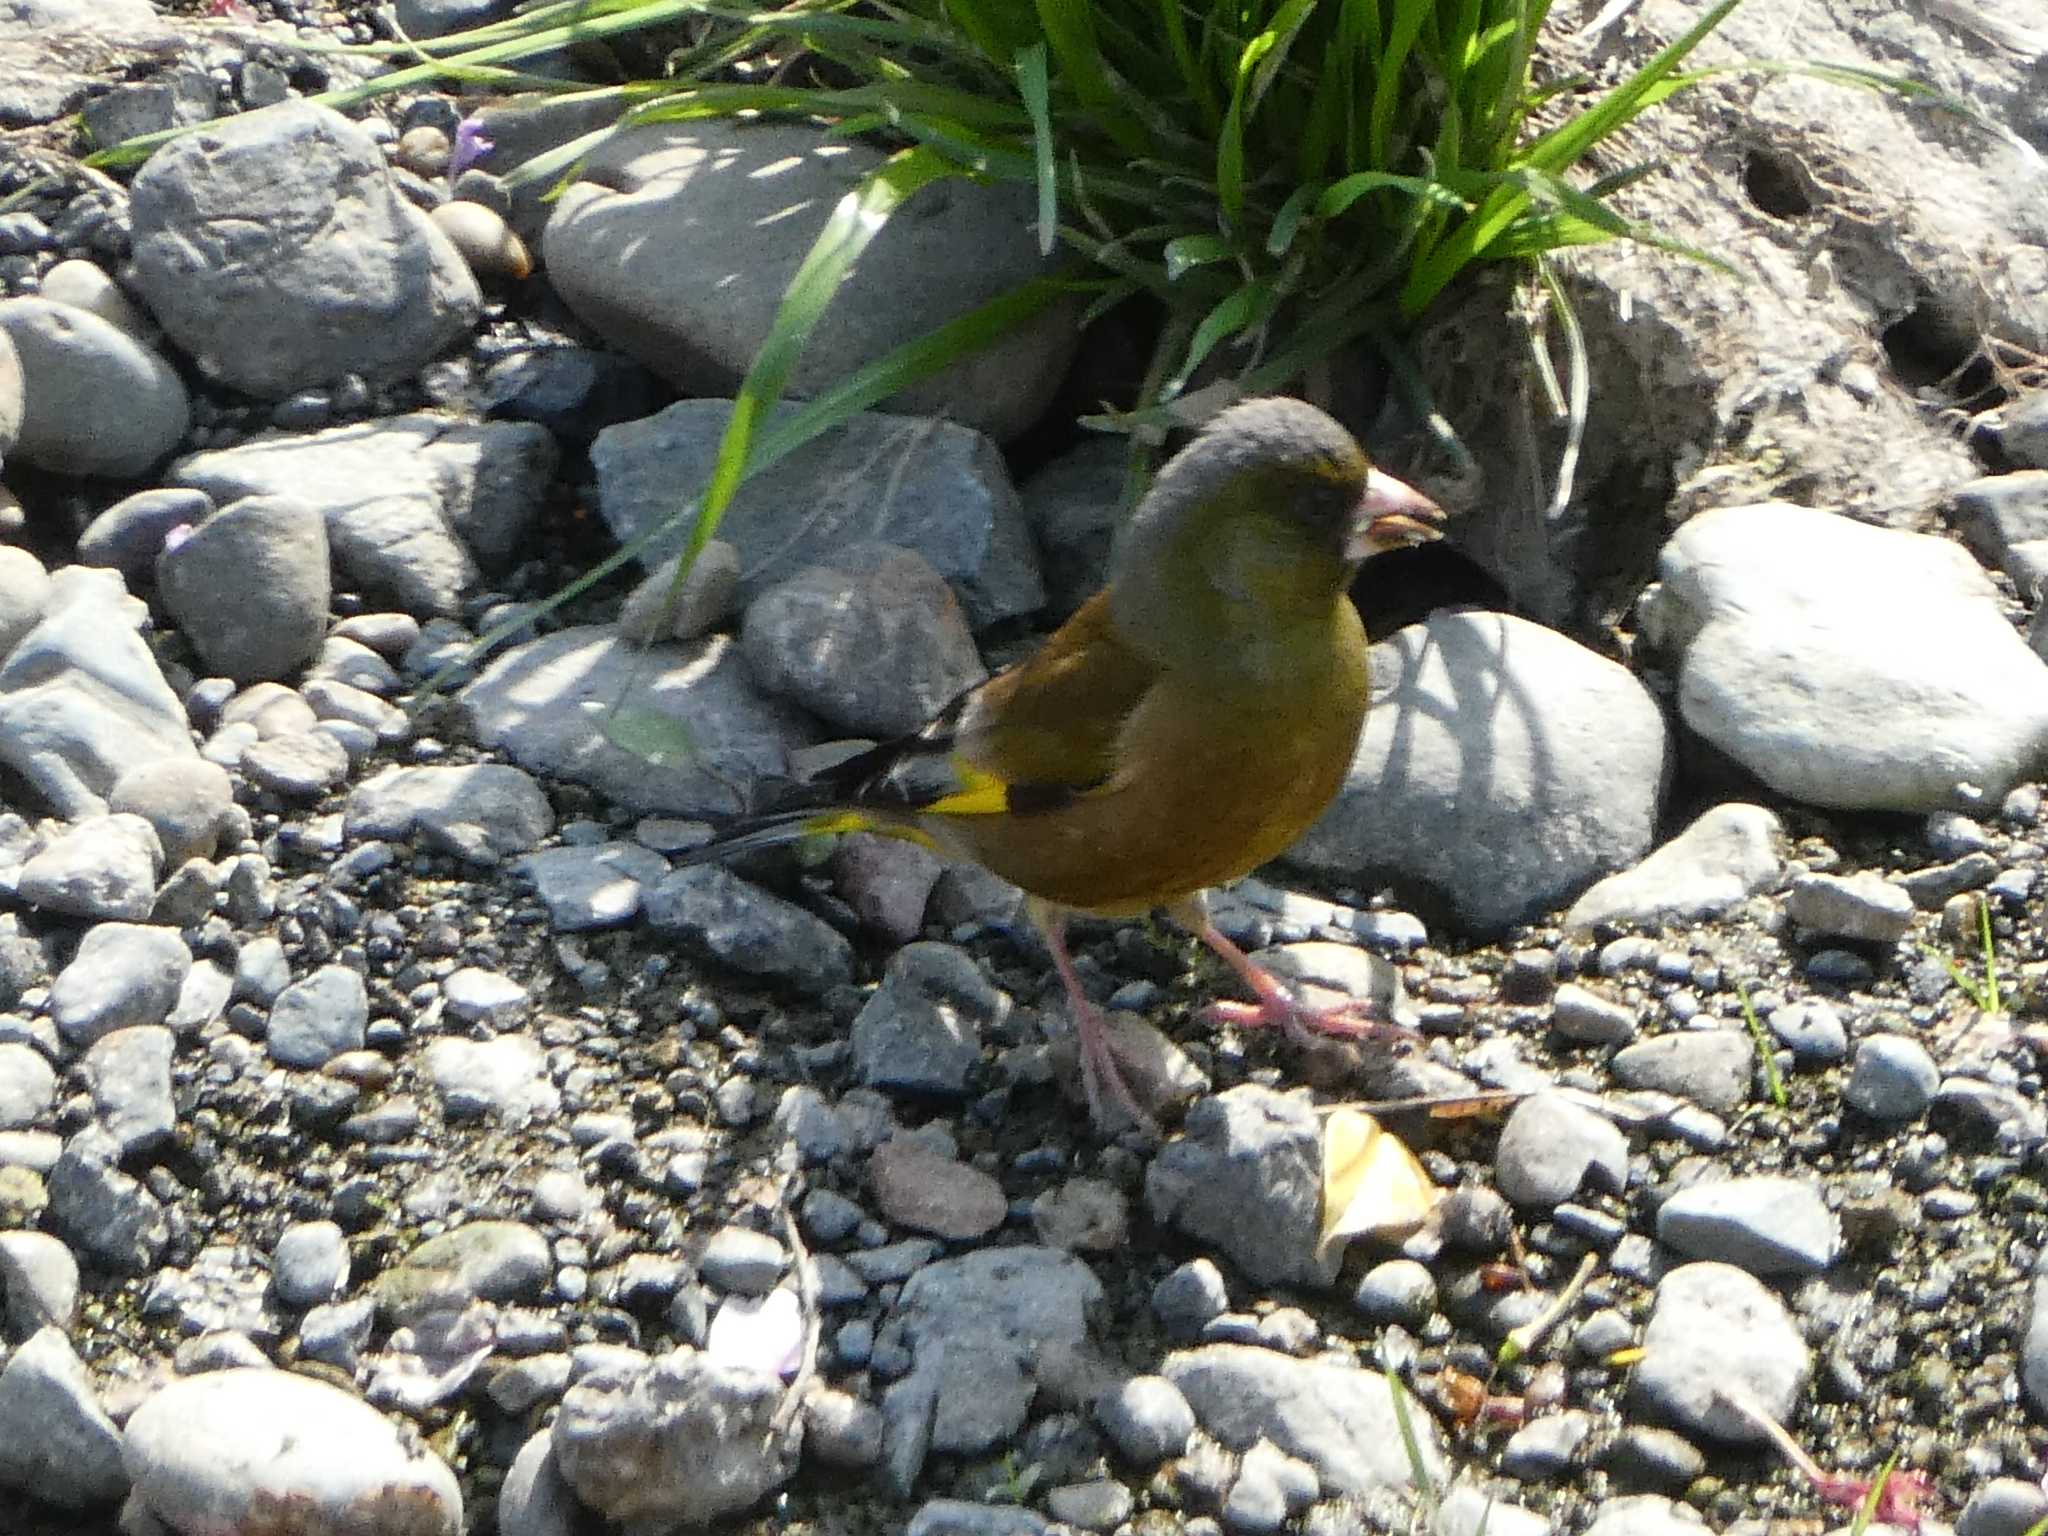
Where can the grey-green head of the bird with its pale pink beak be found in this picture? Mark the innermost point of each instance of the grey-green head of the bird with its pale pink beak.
(1275, 505)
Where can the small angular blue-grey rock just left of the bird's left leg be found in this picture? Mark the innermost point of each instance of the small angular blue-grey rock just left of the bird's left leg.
(921, 1031)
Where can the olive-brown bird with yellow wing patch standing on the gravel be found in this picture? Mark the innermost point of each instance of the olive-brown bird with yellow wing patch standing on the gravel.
(1181, 730)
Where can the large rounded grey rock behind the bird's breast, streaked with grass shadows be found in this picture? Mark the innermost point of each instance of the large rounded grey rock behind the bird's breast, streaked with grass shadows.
(1496, 812)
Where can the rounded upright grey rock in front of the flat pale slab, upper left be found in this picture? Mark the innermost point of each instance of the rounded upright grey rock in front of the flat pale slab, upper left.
(249, 587)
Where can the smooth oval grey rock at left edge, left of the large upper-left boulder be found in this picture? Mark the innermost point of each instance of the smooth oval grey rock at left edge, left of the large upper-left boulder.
(99, 402)
